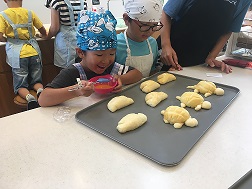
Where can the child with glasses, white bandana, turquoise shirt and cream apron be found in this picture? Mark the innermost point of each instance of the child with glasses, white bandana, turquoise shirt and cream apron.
(136, 47)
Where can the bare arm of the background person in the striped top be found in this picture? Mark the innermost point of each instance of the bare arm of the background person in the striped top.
(55, 24)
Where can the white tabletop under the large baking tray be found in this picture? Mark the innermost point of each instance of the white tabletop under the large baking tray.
(38, 152)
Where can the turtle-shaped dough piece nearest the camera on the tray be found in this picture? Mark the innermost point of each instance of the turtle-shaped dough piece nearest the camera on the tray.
(178, 116)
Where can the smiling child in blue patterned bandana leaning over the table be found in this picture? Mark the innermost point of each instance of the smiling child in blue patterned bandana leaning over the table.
(96, 41)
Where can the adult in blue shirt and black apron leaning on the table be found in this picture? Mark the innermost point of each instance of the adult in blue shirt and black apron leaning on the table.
(195, 31)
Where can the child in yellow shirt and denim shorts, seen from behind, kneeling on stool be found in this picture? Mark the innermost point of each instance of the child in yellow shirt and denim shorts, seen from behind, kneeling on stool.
(22, 50)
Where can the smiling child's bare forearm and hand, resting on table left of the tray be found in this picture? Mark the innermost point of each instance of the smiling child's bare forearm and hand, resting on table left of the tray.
(50, 96)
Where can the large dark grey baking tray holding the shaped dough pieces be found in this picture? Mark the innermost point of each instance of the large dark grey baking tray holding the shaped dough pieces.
(156, 140)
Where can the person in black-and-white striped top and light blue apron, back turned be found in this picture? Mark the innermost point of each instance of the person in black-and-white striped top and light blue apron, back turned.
(64, 16)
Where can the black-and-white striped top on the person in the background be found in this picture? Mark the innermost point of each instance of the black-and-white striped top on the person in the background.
(62, 8)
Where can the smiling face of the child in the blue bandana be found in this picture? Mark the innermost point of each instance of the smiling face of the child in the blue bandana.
(98, 61)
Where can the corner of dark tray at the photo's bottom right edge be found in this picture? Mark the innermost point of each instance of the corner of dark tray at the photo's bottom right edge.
(244, 182)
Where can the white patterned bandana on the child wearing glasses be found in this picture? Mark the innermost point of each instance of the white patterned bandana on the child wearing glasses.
(144, 10)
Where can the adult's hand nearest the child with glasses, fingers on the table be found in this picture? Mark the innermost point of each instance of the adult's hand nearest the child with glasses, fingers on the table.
(169, 57)
